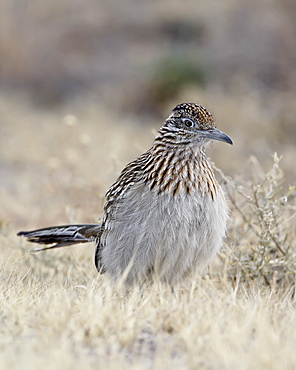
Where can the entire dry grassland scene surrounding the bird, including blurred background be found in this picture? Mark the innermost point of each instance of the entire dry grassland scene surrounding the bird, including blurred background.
(80, 81)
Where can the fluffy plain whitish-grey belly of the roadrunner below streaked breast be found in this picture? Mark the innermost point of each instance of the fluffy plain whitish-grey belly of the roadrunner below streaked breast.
(171, 236)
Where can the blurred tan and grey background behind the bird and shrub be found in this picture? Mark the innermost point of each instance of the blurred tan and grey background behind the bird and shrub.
(85, 85)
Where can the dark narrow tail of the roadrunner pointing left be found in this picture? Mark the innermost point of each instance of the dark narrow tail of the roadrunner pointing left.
(62, 236)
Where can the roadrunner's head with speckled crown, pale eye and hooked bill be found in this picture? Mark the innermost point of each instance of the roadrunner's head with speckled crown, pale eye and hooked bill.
(190, 123)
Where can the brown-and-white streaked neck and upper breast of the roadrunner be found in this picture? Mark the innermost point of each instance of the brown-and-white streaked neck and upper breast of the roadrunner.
(180, 169)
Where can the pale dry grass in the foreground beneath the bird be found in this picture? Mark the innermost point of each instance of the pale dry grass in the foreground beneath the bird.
(67, 317)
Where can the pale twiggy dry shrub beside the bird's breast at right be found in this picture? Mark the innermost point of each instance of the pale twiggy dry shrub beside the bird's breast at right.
(262, 244)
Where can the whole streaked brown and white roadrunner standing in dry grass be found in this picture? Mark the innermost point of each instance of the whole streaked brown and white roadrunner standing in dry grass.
(165, 217)
